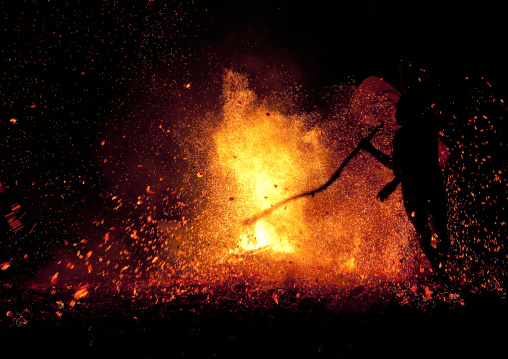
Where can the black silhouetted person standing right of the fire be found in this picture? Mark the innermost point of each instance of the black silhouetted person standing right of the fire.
(415, 165)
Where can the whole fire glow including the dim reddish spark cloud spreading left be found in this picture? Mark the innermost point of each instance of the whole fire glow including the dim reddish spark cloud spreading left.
(257, 154)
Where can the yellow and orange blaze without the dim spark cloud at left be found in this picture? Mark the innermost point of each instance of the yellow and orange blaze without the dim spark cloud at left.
(260, 153)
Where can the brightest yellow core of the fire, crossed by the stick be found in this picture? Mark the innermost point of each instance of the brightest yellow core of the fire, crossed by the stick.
(266, 156)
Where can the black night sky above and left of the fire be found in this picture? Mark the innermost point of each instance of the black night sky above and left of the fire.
(69, 68)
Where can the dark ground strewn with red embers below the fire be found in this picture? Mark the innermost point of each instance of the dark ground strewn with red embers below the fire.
(240, 323)
